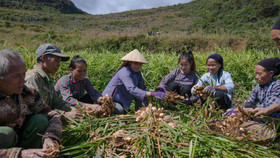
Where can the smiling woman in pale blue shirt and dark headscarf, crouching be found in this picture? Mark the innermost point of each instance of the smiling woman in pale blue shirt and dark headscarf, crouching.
(219, 82)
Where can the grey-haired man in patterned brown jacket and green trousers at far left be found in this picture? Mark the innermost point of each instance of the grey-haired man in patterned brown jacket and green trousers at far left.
(28, 127)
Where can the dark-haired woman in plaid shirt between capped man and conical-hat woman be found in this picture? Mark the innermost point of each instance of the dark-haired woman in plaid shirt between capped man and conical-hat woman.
(73, 86)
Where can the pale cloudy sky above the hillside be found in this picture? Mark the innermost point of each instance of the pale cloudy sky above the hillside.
(113, 6)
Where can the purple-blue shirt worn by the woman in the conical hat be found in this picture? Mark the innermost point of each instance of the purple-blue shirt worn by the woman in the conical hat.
(125, 84)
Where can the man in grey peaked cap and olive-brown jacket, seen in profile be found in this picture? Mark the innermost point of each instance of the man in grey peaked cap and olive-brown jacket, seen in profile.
(48, 63)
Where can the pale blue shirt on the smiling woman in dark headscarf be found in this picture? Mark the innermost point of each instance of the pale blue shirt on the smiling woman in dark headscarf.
(225, 80)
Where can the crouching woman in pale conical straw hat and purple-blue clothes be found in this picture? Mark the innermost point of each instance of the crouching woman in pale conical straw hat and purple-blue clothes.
(128, 84)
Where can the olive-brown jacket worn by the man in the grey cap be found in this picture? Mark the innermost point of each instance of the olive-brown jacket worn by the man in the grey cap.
(43, 84)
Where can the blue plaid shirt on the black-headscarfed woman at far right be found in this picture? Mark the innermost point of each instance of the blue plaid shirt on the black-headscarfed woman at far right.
(265, 96)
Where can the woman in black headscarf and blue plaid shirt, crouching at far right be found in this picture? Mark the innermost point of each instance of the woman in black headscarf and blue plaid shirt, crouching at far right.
(265, 97)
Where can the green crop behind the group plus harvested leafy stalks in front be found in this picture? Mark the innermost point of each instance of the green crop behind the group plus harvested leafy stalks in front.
(189, 138)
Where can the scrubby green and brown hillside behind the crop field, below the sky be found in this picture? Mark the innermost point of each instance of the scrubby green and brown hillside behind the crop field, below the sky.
(200, 25)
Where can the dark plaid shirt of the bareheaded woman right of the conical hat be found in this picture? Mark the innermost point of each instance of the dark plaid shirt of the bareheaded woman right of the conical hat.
(179, 77)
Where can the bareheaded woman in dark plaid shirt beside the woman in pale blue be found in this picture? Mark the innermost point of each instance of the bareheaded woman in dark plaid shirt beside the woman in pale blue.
(182, 79)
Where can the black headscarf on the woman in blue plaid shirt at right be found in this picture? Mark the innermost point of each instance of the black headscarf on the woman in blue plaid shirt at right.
(271, 64)
